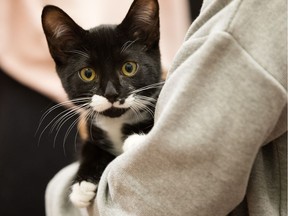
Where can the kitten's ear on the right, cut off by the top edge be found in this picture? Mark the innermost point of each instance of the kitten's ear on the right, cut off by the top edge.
(142, 22)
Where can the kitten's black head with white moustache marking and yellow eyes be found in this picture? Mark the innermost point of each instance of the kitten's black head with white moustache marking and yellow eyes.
(107, 68)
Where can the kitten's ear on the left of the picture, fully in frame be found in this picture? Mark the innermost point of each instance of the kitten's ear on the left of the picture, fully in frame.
(62, 33)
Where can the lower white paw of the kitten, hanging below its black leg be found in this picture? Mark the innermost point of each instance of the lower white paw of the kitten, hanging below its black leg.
(82, 194)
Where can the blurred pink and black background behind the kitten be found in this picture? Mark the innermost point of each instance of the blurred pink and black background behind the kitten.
(29, 86)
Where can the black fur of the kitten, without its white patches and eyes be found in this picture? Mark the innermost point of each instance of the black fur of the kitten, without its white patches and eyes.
(105, 49)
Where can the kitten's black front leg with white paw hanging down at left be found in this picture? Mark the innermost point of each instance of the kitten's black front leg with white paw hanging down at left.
(93, 162)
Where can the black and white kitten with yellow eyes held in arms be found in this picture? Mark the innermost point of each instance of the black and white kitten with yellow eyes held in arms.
(113, 74)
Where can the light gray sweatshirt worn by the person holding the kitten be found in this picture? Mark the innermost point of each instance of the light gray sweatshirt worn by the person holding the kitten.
(219, 144)
